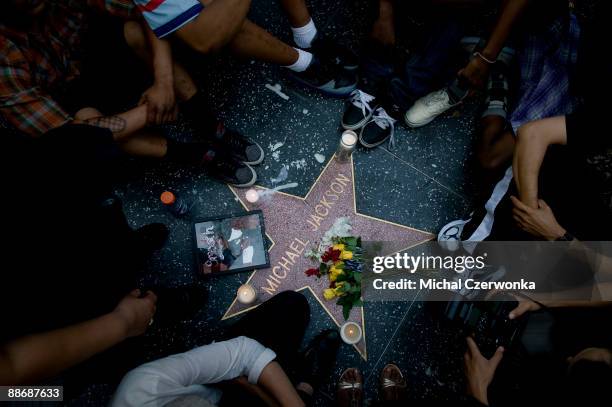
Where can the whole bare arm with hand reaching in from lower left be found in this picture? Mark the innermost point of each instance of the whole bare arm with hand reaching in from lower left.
(36, 357)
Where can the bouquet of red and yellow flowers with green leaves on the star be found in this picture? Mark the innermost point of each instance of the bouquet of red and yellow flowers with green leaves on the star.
(342, 263)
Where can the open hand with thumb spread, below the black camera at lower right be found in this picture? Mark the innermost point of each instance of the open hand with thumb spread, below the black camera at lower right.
(479, 371)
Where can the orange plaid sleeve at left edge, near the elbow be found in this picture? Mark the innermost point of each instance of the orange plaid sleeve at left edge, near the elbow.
(22, 104)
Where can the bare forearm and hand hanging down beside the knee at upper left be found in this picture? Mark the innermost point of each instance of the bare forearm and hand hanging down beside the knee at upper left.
(159, 98)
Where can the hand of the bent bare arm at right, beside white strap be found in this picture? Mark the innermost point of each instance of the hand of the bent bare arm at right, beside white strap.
(539, 222)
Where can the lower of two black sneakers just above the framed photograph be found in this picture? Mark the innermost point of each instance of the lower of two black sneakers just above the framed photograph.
(229, 169)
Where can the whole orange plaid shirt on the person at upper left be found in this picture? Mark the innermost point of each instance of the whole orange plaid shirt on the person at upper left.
(32, 64)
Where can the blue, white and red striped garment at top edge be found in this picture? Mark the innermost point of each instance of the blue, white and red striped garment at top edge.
(166, 16)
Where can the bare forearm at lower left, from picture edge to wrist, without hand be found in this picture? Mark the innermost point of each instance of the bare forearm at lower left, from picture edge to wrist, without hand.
(35, 357)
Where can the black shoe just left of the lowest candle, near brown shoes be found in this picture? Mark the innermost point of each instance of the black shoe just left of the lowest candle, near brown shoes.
(320, 357)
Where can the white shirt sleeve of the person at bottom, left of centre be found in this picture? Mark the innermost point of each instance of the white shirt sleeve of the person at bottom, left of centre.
(167, 378)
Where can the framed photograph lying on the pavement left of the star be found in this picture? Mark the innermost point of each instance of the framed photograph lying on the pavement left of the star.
(230, 244)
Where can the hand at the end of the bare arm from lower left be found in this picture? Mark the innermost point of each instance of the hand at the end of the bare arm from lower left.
(136, 312)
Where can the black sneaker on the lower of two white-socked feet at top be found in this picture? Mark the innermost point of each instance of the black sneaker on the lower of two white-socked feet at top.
(327, 78)
